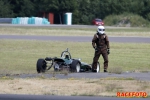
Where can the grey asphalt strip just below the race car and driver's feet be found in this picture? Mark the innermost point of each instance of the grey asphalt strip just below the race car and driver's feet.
(138, 76)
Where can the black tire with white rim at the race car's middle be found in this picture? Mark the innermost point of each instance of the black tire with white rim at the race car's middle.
(75, 66)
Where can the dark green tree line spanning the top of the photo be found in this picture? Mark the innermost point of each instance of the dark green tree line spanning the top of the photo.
(83, 10)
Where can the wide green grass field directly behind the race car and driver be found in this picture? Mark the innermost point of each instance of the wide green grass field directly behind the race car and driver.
(20, 56)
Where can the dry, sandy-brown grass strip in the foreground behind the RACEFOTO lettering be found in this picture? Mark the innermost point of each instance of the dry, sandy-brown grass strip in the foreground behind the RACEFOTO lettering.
(71, 86)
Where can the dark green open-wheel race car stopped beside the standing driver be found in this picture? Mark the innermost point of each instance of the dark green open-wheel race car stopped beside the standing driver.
(64, 62)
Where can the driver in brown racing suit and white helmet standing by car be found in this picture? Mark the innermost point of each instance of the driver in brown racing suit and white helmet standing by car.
(100, 43)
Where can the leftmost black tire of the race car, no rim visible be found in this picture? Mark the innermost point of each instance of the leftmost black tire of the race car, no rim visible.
(41, 65)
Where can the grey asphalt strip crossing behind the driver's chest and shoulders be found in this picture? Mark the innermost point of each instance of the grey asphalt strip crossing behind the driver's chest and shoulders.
(76, 38)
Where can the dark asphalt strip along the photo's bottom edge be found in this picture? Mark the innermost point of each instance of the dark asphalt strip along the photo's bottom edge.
(43, 97)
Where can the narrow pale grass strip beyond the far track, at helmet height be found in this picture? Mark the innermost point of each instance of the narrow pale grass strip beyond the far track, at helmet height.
(111, 31)
